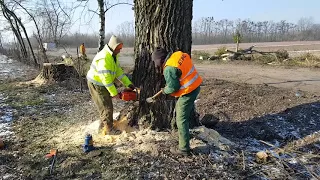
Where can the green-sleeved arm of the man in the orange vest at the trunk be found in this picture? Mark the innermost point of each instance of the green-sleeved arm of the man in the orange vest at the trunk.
(172, 76)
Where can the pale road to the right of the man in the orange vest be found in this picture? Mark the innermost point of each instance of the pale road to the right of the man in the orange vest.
(294, 78)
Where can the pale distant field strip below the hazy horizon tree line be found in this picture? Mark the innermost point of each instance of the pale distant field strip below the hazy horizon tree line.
(295, 48)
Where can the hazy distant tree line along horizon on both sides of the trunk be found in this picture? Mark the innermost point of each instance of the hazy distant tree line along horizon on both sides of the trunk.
(210, 31)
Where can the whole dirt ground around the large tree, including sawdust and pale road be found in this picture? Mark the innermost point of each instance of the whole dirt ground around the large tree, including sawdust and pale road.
(252, 113)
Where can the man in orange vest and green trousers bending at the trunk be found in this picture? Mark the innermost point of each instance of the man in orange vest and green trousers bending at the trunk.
(183, 82)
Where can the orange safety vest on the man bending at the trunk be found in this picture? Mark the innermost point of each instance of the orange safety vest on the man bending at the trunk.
(190, 79)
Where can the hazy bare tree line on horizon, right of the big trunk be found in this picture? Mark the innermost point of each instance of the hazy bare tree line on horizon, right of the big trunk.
(210, 31)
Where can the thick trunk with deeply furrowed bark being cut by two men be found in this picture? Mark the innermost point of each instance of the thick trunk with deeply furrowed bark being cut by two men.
(164, 23)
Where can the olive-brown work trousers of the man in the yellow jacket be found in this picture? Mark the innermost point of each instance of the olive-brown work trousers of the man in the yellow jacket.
(103, 101)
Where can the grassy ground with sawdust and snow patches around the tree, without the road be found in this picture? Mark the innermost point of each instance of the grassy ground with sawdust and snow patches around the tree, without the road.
(56, 116)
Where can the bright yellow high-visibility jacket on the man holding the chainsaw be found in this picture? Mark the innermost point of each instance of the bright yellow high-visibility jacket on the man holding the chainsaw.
(104, 69)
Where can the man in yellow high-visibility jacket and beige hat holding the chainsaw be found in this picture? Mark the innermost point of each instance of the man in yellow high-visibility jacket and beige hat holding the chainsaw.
(103, 71)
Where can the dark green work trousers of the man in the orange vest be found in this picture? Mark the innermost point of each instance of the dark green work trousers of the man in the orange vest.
(184, 107)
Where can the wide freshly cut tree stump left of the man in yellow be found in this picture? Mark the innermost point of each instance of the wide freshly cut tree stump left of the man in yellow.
(57, 72)
